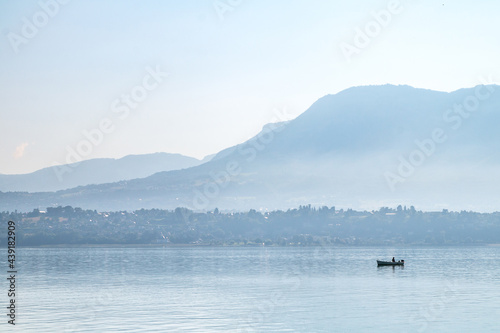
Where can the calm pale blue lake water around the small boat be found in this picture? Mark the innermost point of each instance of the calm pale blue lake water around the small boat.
(264, 289)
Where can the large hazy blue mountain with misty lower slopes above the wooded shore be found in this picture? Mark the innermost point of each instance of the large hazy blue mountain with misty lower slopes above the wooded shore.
(363, 148)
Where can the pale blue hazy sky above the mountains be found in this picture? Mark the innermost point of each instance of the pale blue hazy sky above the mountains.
(227, 77)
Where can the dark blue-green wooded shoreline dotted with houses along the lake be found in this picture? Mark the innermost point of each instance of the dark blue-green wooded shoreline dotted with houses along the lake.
(304, 226)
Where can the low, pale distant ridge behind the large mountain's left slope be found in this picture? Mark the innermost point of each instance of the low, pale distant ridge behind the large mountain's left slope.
(95, 171)
